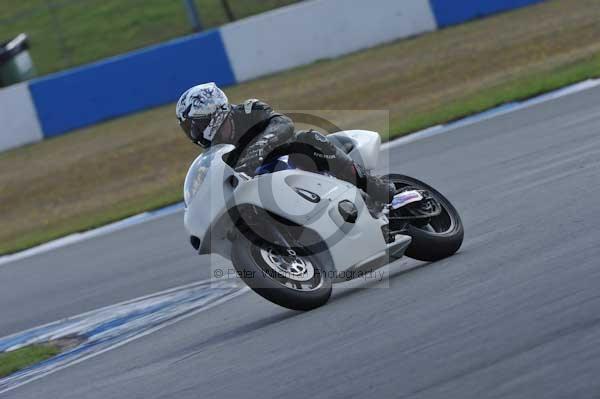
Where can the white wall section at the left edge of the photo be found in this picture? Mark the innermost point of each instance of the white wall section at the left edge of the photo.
(19, 122)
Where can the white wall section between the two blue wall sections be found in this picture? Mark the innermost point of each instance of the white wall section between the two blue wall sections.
(303, 33)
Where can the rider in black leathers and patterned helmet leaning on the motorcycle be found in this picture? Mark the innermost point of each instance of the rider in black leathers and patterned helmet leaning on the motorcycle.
(207, 118)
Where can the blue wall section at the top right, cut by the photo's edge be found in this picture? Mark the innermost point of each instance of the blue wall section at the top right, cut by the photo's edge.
(452, 12)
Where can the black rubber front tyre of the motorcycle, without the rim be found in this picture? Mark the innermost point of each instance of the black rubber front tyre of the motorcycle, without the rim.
(269, 285)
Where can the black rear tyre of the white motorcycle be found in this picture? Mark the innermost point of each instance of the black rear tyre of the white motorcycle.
(428, 245)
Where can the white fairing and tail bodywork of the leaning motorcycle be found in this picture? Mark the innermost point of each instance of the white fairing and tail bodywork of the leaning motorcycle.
(212, 188)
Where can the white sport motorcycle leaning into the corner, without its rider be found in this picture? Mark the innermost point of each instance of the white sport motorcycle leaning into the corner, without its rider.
(291, 234)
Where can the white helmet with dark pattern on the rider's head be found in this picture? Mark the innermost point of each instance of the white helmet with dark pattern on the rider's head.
(202, 111)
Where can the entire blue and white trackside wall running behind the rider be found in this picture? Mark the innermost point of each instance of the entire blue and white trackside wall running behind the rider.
(267, 43)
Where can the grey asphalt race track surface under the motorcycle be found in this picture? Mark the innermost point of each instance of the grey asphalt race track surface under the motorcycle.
(516, 313)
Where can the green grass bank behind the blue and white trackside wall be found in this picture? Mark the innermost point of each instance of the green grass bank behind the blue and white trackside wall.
(66, 33)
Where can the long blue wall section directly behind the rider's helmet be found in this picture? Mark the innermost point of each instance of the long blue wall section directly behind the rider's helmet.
(133, 82)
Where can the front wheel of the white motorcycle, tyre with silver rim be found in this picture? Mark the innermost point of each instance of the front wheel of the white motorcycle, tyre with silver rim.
(256, 265)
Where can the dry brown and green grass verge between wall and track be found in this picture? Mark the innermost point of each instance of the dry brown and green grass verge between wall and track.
(132, 164)
